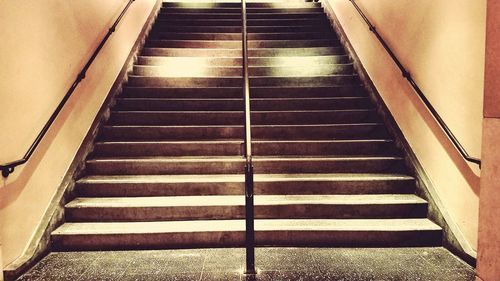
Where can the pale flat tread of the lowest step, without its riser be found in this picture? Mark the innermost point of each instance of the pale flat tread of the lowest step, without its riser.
(383, 225)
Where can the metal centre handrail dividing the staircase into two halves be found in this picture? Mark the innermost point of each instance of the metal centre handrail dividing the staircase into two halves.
(249, 206)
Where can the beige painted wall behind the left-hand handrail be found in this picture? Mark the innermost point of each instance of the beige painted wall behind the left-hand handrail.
(44, 45)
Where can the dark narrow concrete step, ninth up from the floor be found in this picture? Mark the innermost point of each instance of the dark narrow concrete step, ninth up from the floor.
(236, 92)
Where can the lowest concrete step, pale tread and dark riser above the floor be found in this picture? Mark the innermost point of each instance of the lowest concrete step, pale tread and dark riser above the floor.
(231, 233)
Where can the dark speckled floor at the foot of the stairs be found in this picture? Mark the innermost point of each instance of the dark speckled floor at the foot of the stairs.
(272, 263)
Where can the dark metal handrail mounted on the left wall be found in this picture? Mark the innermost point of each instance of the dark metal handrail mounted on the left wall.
(9, 167)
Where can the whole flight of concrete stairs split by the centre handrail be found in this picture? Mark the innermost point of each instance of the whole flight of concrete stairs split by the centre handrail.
(167, 167)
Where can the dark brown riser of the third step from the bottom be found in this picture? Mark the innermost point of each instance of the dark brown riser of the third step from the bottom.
(238, 188)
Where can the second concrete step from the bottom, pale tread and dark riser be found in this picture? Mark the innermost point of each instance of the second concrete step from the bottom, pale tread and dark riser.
(228, 207)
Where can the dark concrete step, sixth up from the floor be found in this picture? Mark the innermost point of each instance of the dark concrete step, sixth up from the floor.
(259, 132)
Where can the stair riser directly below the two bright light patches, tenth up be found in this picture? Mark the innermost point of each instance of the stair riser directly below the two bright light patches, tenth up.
(143, 81)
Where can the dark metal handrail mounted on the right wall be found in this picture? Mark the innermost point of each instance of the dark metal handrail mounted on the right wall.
(419, 92)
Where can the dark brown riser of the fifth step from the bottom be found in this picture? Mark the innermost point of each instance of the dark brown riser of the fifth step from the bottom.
(236, 148)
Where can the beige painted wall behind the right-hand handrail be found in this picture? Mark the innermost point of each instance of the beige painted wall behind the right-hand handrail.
(441, 43)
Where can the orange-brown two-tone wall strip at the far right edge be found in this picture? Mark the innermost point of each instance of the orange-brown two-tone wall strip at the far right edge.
(488, 261)
